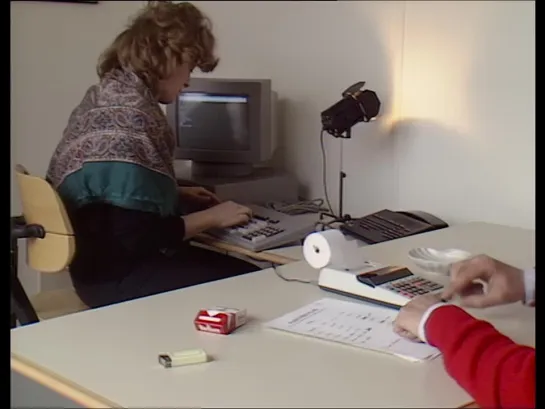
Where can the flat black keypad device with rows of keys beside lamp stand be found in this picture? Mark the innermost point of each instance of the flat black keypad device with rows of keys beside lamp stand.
(383, 226)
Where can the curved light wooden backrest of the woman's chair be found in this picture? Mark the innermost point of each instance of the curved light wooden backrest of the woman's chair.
(42, 205)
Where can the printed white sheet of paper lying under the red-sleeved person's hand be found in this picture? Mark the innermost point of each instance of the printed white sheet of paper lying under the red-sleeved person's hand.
(360, 325)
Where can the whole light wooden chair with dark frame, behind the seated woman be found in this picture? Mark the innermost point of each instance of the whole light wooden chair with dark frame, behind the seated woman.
(51, 245)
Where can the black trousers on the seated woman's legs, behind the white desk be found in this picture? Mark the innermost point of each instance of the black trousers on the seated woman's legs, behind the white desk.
(164, 273)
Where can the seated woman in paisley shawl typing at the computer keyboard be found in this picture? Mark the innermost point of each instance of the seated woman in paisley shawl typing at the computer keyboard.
(113, 167)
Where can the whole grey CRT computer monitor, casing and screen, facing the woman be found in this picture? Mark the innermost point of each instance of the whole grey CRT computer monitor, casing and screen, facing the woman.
(224, 126)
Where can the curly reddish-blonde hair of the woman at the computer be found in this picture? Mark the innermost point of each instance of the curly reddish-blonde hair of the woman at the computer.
(159, 39)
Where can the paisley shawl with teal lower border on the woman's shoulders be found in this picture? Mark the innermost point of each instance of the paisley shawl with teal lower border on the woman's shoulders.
(117, 149)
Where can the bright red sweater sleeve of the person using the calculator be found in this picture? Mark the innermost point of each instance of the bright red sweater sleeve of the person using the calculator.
(494, 370)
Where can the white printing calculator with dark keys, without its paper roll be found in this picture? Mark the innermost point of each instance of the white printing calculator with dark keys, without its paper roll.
(391, 287)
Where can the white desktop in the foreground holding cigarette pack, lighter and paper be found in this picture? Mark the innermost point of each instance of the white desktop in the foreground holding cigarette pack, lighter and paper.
(113, 351)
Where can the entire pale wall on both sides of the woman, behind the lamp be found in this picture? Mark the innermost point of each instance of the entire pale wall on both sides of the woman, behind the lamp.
(457, 76)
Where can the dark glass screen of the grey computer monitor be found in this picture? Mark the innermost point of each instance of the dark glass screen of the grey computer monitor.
(213, 121)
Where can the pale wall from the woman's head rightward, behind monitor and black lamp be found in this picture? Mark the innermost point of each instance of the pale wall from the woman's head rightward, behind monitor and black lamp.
(459, 76)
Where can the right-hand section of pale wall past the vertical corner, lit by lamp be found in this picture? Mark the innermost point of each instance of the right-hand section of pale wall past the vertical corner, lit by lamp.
(466, 140)
